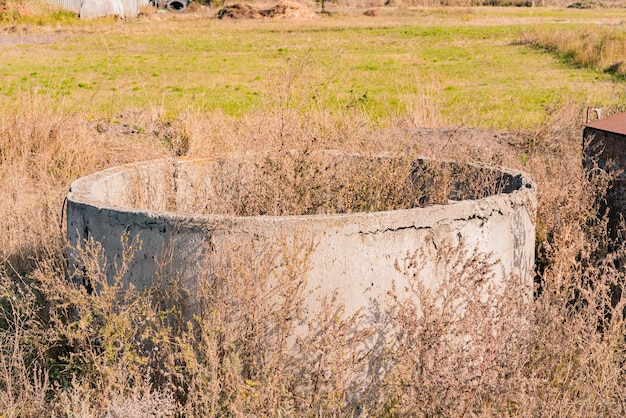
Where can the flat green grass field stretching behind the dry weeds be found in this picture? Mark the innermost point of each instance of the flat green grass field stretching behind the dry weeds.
(468, 61)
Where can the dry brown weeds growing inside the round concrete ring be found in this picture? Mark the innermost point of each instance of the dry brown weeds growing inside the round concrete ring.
(306, 182)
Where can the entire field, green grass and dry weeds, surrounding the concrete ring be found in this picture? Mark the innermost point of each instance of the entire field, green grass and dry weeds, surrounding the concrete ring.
(76, 97)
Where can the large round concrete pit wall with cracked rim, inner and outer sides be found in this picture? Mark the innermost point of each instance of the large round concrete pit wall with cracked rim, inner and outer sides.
(184, 211)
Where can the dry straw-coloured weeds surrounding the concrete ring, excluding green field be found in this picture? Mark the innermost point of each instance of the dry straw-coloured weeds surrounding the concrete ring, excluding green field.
(97, 348)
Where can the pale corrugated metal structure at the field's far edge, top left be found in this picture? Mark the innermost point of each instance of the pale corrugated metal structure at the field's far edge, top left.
(89, 9)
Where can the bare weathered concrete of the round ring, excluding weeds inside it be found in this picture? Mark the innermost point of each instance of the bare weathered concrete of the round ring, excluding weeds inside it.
(354, 254)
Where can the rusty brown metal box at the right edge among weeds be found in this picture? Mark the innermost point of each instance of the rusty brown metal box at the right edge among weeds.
(604, 147)
